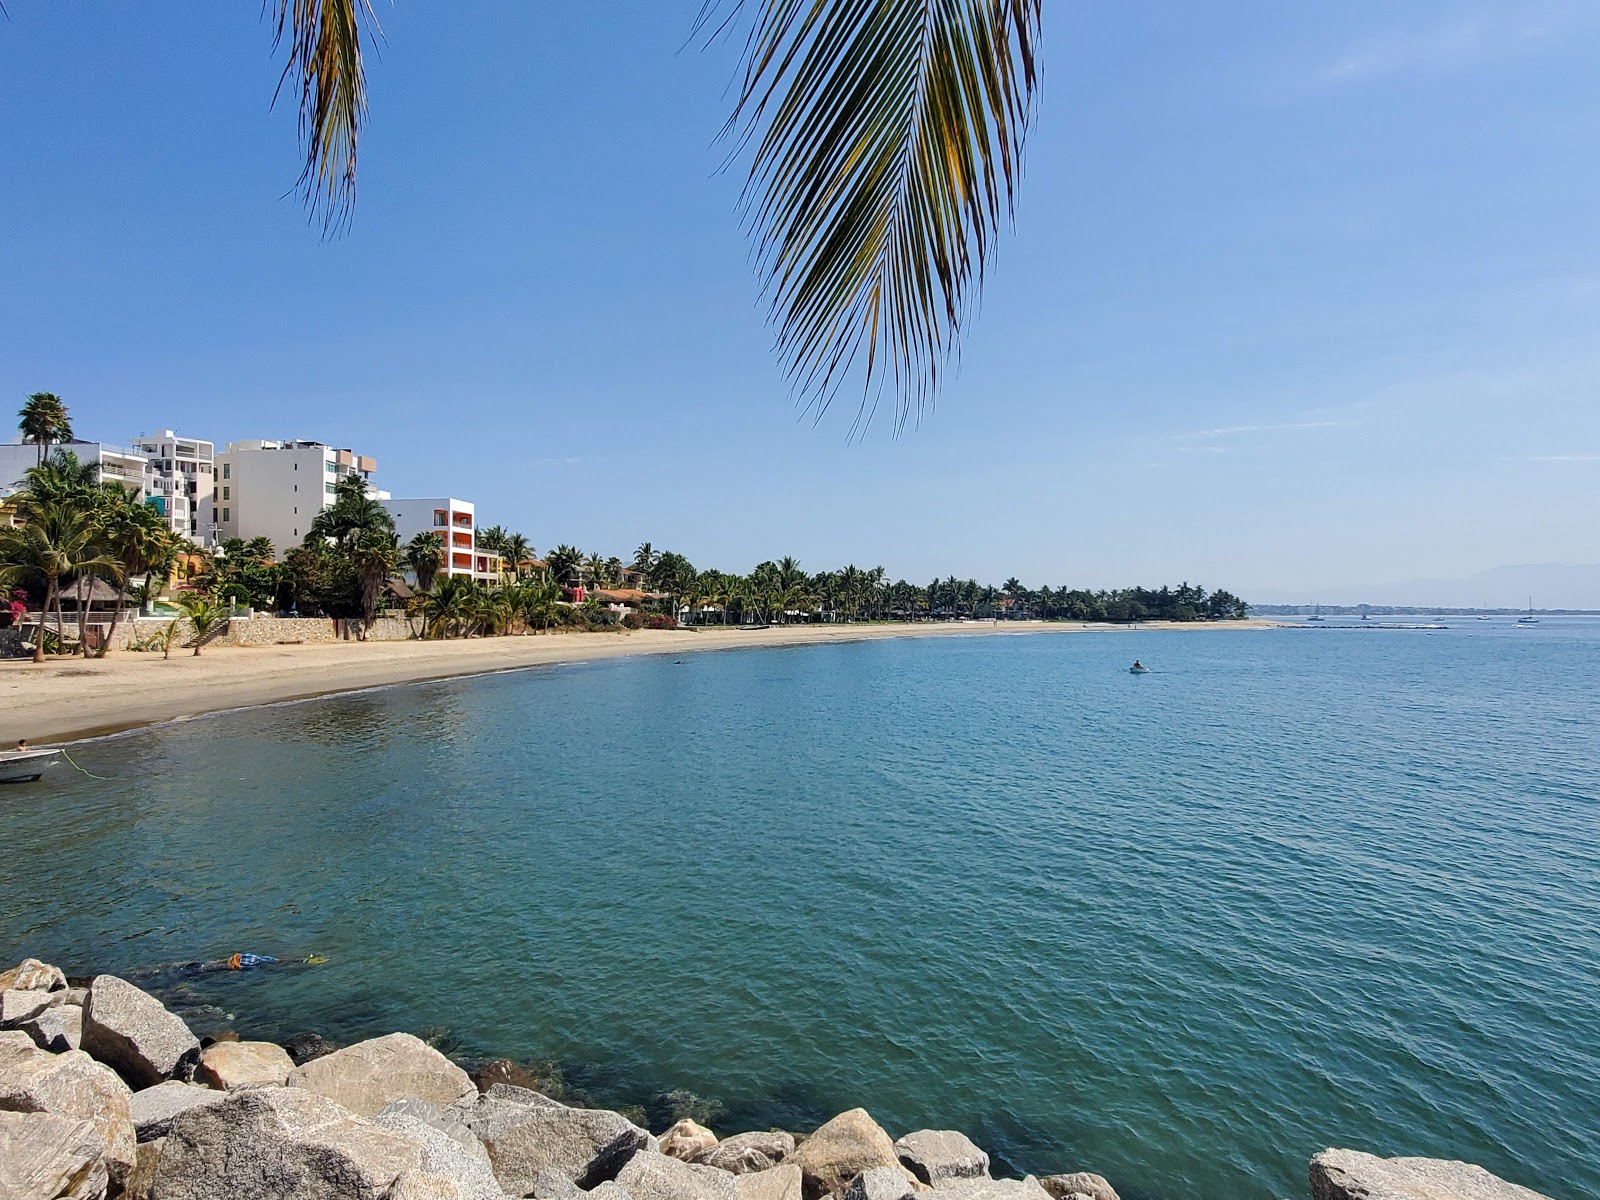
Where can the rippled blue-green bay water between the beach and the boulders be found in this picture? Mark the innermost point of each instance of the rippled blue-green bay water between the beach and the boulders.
(1298, 889)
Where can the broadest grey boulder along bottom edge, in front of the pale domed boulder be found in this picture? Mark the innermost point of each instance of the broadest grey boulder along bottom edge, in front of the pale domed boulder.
(281, 1145)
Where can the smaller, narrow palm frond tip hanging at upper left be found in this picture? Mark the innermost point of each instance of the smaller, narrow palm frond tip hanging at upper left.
(324, 41)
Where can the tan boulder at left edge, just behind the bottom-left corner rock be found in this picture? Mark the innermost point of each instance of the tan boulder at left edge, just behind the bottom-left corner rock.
(76, 1087)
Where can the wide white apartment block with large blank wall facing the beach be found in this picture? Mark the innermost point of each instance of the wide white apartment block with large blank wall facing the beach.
(274, 490)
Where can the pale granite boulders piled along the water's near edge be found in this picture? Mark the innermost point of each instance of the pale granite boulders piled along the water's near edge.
(106, 1095)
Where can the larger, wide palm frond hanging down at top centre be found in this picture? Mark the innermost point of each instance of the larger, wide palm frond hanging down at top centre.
(887, 143)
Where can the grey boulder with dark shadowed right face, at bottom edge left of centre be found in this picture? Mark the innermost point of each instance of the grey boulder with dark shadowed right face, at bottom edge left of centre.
(524, 1140)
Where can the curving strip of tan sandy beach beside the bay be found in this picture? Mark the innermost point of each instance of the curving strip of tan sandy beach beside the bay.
(74, 700)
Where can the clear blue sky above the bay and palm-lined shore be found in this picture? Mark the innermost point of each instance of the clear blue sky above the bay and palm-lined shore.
(1300, 300)
